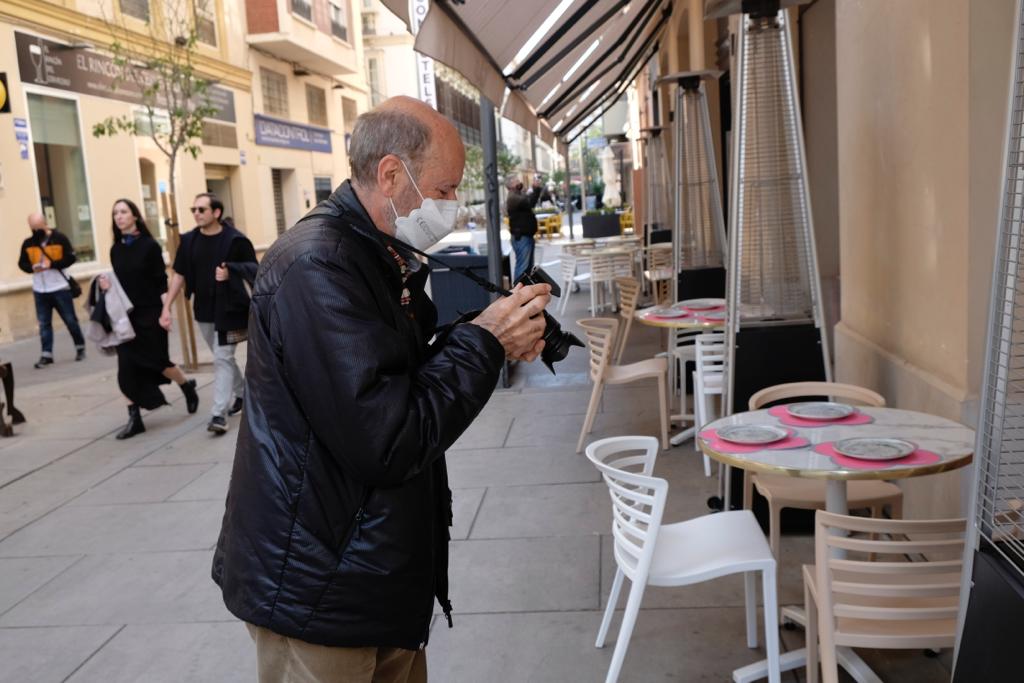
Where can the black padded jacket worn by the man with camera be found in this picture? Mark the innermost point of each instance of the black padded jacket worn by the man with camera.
(337, 516)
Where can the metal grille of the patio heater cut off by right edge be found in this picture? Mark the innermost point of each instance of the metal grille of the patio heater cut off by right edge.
(1000, 497)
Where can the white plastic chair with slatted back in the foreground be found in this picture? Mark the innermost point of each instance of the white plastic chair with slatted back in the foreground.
(649, 552)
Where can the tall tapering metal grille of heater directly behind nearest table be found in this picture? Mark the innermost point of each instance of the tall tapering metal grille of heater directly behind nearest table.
(777, 272)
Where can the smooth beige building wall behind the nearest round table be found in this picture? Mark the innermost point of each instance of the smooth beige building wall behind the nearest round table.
(922, 89)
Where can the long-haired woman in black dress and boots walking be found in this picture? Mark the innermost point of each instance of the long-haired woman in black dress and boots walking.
(144, 363)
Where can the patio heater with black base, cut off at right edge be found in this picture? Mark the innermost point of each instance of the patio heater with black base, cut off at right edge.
(993, 595)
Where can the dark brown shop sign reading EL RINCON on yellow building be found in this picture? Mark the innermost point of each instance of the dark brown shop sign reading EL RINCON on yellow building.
(55, 65)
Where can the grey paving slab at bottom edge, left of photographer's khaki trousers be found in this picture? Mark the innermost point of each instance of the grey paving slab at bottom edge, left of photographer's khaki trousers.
(174, 653)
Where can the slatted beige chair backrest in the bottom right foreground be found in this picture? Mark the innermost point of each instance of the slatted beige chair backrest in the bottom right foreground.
(914, 604)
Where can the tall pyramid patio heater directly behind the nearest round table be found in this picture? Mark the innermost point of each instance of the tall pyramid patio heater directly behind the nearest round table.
(775, 331)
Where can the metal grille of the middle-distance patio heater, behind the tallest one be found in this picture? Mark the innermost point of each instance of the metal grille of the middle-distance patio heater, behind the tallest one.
(699, 205)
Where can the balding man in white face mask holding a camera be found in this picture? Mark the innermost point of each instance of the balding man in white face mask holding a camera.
(334, 543)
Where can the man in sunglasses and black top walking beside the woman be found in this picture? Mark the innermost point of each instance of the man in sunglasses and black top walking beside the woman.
(210, 246)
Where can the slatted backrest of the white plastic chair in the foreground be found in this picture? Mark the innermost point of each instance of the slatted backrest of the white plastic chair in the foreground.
(637, 499)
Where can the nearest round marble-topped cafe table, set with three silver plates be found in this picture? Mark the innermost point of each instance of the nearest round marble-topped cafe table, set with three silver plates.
(950, 446)
